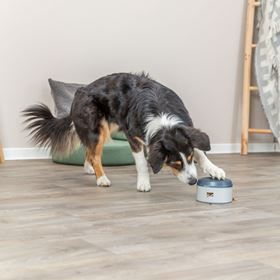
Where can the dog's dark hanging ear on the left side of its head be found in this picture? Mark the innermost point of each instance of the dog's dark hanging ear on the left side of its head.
(157, 156)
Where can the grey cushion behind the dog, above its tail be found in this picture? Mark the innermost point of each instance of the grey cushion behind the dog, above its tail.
(63, 94)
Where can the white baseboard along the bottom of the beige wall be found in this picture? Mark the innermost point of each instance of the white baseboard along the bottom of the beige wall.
(226, 148)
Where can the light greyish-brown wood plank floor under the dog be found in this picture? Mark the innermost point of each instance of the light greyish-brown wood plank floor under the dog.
(56, 224)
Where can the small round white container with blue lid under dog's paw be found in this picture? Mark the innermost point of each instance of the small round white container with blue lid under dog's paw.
(213, 190)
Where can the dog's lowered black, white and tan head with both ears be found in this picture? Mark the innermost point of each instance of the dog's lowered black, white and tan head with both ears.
(175, 148)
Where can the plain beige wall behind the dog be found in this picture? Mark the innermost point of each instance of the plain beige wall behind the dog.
(194, 47)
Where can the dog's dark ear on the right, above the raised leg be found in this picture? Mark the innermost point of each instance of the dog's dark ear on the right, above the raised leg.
(198, 139)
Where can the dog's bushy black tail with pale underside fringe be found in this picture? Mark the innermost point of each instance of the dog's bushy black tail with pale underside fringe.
(49, 132)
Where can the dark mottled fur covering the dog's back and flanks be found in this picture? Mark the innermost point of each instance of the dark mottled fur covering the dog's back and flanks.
(127, 100)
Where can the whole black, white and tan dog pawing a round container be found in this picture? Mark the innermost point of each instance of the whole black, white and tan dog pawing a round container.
(153, 118)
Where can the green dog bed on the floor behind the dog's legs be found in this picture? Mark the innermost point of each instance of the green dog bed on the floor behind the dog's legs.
(115, 152)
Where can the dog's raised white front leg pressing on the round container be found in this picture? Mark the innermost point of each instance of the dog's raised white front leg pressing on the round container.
(207, 166)
